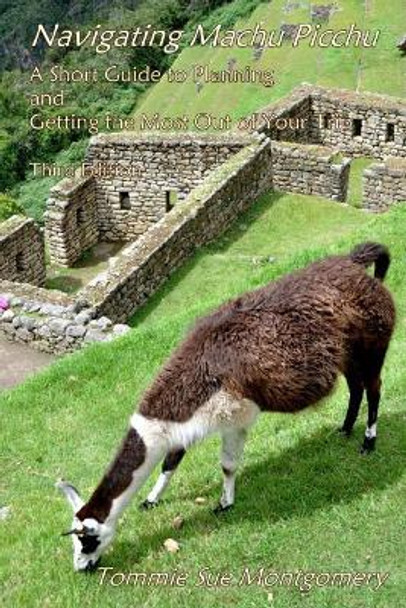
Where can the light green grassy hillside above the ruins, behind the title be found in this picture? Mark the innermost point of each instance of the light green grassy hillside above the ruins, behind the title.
(380, 69)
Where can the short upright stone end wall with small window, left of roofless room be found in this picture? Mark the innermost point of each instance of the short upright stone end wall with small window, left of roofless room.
(71, 220)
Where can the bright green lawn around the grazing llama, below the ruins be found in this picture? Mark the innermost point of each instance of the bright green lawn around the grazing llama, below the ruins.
(306, 499)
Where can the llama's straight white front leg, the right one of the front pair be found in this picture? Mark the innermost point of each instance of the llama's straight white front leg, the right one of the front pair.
(232, 449)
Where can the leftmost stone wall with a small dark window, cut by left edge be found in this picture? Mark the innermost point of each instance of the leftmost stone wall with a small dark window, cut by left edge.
(22, 253)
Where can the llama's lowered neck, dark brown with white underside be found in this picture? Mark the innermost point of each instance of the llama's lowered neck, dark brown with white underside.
(131, 467)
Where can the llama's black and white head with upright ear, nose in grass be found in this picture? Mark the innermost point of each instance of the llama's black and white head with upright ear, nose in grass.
(90, 537)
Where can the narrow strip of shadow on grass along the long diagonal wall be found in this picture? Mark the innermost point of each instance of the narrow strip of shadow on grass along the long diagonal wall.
(237, 230)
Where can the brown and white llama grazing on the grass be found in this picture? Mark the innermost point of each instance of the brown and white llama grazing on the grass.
(279, 348)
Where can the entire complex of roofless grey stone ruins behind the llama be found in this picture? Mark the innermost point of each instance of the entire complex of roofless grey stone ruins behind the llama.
(168, 195)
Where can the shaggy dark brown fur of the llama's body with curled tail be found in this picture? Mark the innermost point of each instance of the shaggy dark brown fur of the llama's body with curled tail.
(283, 345)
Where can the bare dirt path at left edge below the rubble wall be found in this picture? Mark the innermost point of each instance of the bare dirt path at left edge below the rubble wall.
(18, 361)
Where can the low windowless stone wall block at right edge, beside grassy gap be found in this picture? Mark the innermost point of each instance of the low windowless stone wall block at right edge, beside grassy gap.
(384, 184)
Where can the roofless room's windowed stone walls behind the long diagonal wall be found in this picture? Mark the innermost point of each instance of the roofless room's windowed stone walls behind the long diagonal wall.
(116, 206)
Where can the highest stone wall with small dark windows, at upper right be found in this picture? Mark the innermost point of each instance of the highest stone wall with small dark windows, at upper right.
(359, 124)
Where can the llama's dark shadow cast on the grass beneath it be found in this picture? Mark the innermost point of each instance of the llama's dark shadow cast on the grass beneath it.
(321, 471)
